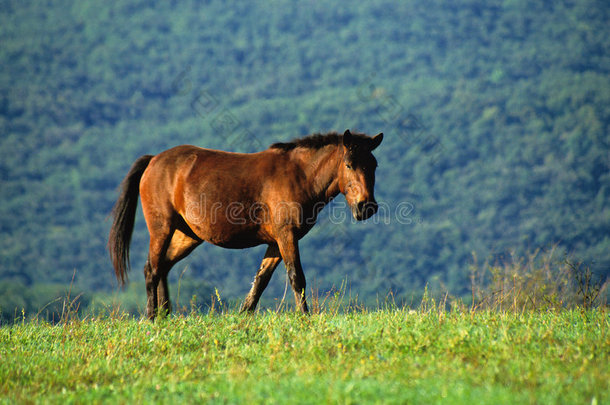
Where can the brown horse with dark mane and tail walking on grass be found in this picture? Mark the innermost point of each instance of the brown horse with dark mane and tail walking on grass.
(191, 195)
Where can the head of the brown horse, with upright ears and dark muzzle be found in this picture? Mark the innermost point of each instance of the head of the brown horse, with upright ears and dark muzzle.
(357, 174)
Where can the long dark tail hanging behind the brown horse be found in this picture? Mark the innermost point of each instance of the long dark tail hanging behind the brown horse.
(124, 213)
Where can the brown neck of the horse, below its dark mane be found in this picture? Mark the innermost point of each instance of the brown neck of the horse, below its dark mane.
(320, 167)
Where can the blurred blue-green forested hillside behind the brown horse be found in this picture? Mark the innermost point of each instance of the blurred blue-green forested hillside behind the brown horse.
(496, 116)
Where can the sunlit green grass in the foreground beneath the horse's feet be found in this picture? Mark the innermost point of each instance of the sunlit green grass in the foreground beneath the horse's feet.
(383, 356)
